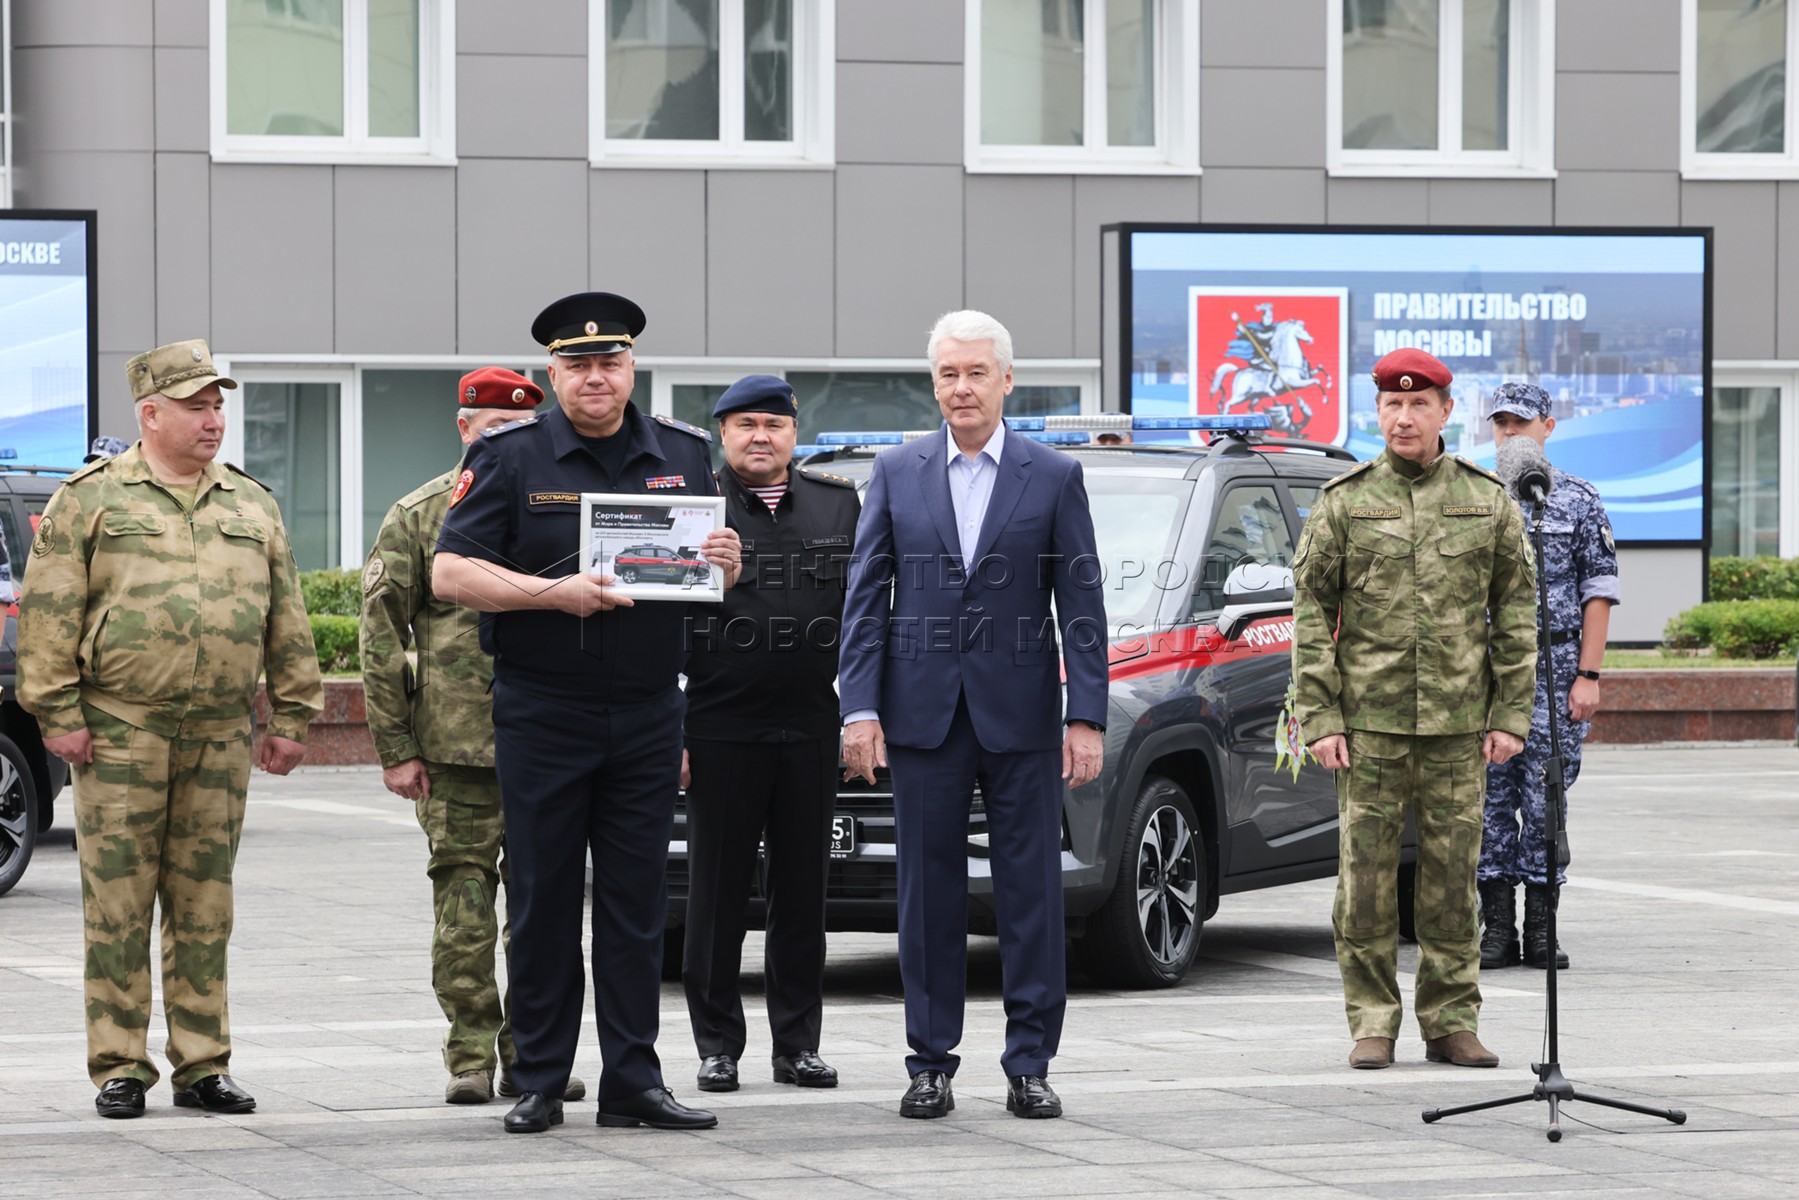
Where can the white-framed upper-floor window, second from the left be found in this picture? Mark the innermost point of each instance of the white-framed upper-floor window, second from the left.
(704, 84)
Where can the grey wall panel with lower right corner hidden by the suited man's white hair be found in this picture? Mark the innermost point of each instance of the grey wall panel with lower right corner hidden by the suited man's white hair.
(899, 256)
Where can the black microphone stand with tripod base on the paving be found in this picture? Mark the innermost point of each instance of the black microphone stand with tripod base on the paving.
(1552, 1086)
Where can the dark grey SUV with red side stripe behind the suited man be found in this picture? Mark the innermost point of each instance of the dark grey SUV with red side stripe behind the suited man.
(1197, 546)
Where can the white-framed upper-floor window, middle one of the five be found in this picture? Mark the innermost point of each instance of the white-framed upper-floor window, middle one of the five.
(1082, 87)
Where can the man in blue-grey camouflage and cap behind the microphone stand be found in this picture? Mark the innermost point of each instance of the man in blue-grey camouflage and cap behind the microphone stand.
(1580, 575)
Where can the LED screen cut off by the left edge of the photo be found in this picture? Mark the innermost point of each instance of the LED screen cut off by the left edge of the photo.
(46, 339)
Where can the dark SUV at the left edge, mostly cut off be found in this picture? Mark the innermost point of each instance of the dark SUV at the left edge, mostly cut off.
(30, 778)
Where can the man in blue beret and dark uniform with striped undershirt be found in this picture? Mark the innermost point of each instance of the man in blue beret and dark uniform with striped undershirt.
(762, 740)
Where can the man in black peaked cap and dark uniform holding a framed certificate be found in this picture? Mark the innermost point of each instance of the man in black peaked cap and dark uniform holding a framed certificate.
(586, 708)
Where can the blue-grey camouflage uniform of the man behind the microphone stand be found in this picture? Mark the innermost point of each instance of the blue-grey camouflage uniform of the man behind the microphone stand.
(1580, 564)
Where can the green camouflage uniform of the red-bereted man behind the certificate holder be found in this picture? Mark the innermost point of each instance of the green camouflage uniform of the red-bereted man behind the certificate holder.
(442, 713)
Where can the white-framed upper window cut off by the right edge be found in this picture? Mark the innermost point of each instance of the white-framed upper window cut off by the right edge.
(1737, 112)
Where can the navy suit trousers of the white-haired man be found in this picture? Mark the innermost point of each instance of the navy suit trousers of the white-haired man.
(1023, 796)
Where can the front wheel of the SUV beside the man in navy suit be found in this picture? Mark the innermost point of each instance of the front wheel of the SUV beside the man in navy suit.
(1147, 933)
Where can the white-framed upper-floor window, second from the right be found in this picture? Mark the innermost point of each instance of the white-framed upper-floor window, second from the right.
(1440, 87)
